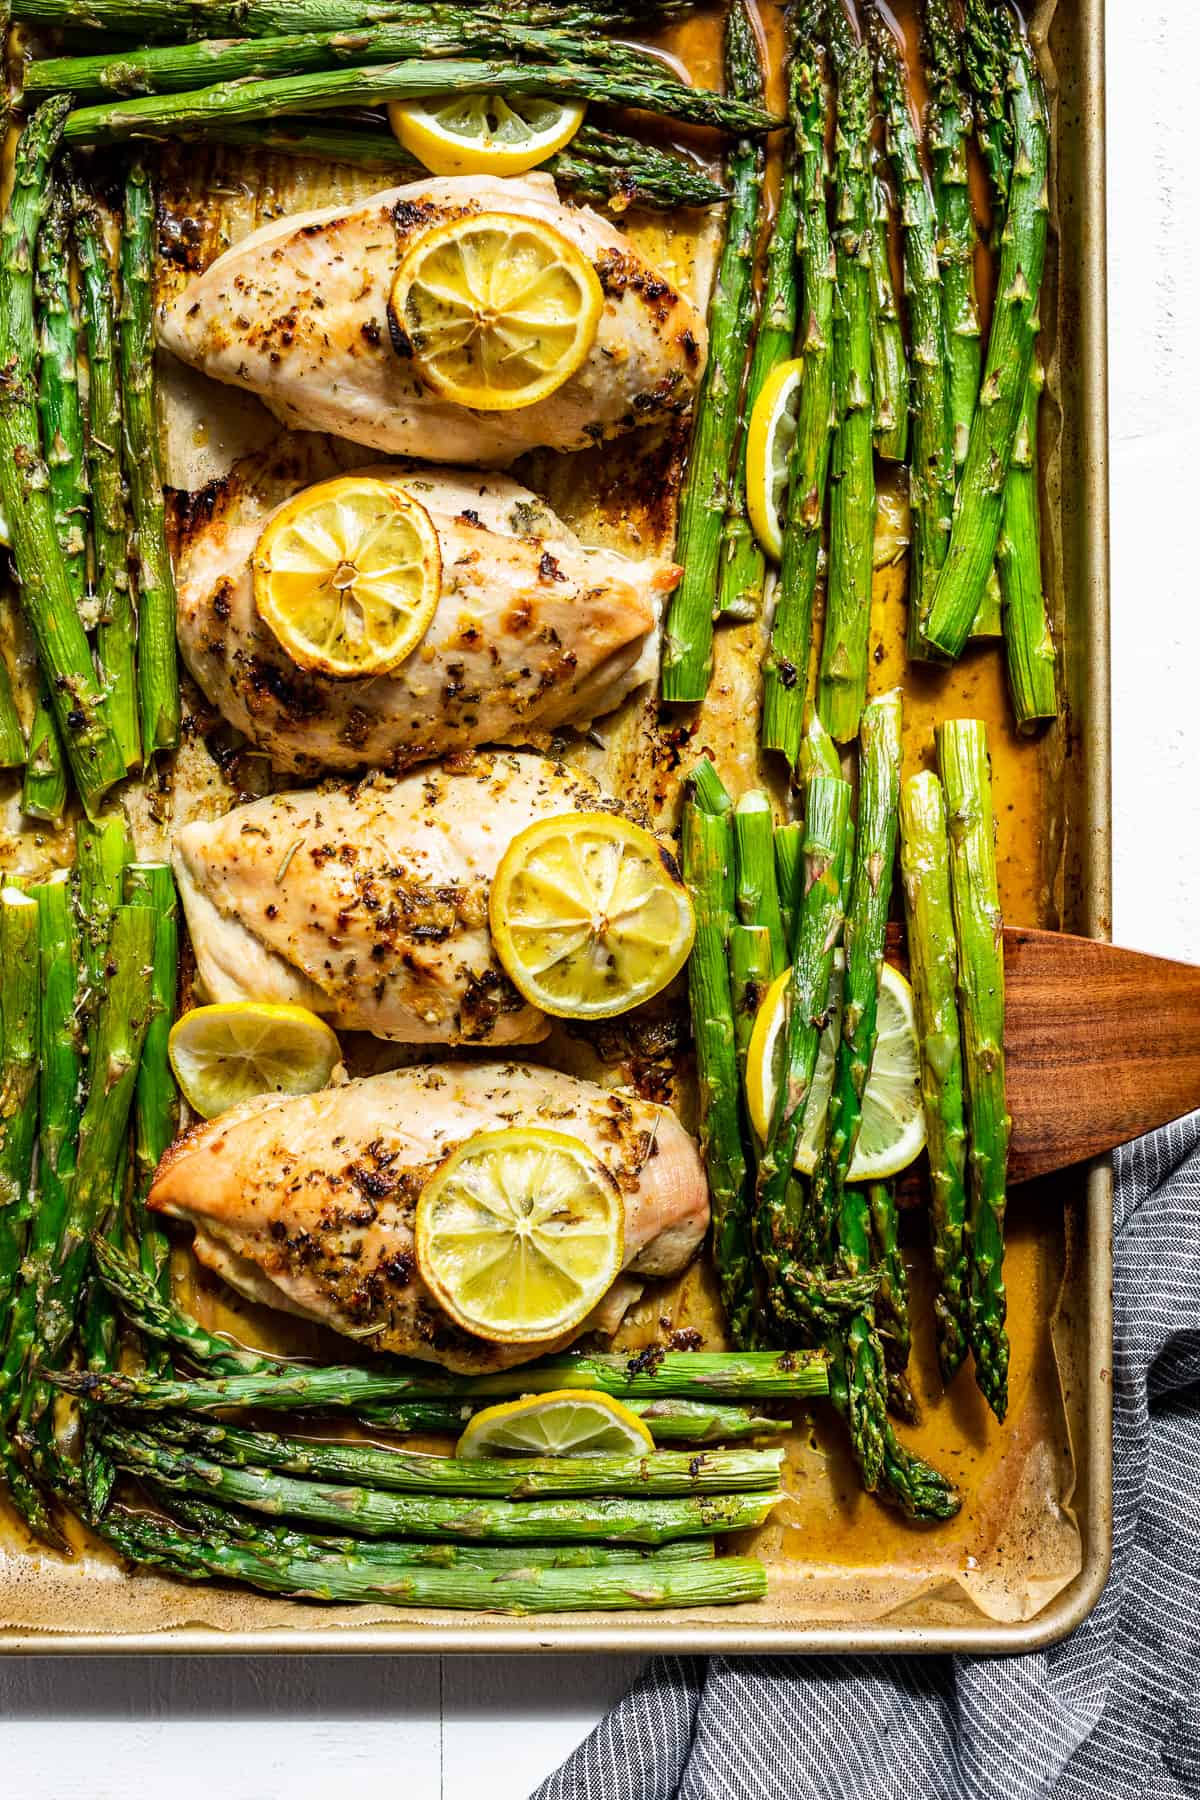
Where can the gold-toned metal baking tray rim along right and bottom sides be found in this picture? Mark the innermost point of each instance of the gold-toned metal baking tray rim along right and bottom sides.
(1075, 886)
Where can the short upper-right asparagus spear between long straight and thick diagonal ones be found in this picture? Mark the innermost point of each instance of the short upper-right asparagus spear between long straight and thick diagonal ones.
(951, 129)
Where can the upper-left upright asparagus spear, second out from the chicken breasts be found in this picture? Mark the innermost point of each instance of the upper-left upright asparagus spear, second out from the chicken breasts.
(116, 631)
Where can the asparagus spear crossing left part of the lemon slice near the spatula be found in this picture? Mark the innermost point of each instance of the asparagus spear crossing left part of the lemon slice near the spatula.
(782, 1228)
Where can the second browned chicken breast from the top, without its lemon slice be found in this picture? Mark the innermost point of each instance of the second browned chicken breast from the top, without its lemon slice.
(532, 631)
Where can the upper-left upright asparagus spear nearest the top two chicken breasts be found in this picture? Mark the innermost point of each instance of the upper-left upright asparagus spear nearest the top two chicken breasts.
(157, 672)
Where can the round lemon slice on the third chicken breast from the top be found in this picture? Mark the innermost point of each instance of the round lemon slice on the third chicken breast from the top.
(589, 915)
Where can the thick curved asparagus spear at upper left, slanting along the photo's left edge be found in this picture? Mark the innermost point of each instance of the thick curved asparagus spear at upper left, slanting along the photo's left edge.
(48, 597)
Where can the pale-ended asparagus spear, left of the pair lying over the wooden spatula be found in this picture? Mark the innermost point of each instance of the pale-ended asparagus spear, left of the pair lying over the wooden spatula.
(935, 966)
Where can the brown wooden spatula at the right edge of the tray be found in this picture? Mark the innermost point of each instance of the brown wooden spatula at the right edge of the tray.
(1102, 1047)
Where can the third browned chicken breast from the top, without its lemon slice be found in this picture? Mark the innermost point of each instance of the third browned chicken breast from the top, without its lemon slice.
(370, 904)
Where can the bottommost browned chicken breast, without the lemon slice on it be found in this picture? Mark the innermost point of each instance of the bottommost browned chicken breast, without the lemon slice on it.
(309, 1205)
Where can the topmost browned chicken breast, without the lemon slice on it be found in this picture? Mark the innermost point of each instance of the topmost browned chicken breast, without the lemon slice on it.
(300, 314)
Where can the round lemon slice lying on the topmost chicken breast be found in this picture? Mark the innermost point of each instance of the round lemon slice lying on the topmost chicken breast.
(499, 310)
